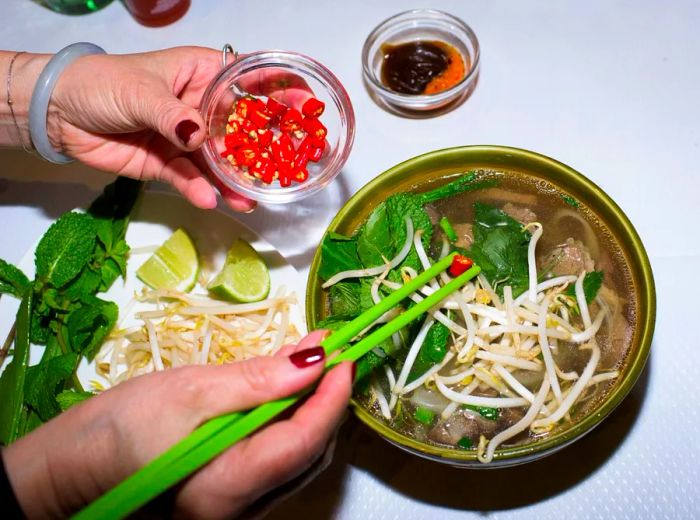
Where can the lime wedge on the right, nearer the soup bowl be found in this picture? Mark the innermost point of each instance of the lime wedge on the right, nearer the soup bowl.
(244, 277)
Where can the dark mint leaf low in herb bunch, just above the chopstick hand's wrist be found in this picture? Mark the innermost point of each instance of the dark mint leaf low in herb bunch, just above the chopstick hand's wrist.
(42, 382)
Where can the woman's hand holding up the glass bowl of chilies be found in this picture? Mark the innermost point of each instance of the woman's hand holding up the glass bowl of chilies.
(137, 115)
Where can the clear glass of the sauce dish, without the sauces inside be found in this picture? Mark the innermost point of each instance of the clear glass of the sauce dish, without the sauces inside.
(420, 24)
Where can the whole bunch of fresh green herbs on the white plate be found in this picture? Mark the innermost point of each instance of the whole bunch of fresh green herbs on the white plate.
(79, 256)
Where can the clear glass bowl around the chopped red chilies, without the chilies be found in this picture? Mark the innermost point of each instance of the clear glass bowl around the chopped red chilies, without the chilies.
(286, 76)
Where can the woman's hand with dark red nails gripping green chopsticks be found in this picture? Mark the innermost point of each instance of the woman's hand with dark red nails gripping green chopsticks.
(87, 450)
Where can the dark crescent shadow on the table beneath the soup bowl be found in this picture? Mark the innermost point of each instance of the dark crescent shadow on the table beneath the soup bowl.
(469, 490)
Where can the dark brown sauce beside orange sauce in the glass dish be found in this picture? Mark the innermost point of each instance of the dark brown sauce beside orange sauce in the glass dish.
(409, 67)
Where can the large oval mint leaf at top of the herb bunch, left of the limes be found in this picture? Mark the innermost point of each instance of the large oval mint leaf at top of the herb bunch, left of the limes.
(65, 248)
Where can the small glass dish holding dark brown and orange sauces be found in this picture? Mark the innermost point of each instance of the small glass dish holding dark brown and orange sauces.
(401, 62)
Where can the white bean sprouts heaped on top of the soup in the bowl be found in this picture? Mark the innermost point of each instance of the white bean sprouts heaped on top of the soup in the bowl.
(495, 337)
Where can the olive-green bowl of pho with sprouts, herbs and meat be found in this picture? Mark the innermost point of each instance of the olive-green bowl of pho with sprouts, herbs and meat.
(528, 356)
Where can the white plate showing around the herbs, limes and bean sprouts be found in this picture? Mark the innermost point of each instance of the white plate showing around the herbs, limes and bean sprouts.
(153, 220)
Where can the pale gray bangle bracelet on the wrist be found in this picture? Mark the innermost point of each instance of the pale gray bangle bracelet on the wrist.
(41, 96)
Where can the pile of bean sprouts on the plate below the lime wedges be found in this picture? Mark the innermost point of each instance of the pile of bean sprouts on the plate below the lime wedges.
(173, 329)
